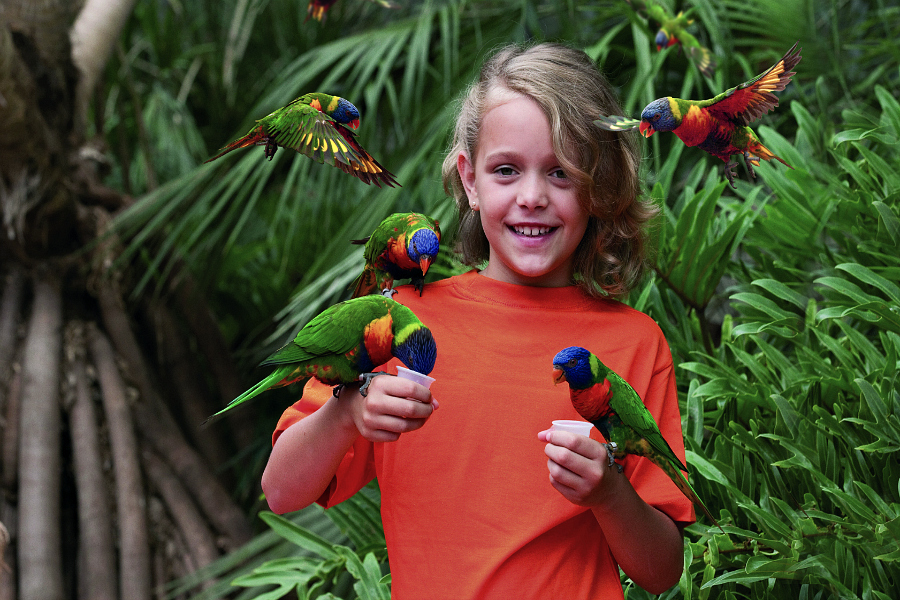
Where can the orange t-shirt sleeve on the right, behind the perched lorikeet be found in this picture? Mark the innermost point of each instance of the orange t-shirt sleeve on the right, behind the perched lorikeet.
(651, 483)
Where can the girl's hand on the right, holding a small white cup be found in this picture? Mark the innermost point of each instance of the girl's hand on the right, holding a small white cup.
(579, 468)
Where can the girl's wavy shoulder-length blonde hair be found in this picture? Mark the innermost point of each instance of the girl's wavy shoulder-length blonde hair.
(572, 92)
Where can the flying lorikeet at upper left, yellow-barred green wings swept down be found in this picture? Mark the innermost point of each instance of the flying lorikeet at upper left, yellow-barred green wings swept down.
(317, 125)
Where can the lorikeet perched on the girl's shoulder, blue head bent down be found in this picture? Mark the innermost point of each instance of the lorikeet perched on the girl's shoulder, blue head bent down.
(403, 246)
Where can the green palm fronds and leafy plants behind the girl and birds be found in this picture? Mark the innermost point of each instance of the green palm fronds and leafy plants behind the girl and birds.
(780, 299)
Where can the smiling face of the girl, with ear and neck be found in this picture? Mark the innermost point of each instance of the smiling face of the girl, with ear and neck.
(529, 208)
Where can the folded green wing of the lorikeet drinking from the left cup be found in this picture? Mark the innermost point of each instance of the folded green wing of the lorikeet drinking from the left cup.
(335, 331)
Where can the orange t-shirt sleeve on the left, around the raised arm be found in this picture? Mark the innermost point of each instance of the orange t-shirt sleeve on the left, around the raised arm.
(357, 467)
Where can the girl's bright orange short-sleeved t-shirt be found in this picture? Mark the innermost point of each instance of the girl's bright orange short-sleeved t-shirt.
(467, 505)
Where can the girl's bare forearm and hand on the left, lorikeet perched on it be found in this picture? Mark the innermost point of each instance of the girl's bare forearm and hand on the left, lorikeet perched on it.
(306, 456)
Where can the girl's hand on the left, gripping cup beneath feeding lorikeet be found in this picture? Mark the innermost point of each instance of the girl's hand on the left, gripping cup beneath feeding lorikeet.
(392, 406)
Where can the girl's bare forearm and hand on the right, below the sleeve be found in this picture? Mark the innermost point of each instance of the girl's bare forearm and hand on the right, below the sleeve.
(645, 542)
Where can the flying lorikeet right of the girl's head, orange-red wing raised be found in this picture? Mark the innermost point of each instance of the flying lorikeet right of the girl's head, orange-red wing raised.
(718, 125)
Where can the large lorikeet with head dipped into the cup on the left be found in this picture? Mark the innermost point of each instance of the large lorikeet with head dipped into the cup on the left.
(345, 343)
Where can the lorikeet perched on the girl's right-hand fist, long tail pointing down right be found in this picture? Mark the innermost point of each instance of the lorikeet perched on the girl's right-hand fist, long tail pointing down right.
(605, 399)
